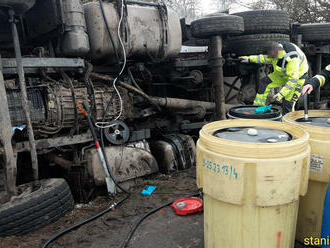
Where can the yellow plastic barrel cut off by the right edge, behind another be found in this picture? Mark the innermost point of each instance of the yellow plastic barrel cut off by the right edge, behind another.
(311, 207)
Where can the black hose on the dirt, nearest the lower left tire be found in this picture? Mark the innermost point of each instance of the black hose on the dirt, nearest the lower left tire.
(84, 222)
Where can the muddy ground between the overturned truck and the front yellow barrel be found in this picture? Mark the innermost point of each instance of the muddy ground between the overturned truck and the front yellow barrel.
(164, 229)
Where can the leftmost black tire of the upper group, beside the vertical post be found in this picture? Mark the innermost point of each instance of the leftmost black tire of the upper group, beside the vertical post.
(217, 25)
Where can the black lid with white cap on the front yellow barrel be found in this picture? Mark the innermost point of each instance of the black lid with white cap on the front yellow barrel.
(253, 135)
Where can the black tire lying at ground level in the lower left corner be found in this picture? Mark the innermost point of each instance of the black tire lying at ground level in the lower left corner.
(32, 211)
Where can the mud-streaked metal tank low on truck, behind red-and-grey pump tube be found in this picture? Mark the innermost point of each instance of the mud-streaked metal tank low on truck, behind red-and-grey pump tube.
(126, 162)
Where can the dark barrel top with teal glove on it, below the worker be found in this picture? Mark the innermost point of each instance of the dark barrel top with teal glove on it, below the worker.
(249, 112)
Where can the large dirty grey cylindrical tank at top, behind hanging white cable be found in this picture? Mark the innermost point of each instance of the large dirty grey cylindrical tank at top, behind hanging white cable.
(149, 31)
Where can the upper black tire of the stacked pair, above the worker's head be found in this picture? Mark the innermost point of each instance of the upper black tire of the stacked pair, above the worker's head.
(265, 21)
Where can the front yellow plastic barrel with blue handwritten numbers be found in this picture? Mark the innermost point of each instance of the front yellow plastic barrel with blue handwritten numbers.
(251, 190)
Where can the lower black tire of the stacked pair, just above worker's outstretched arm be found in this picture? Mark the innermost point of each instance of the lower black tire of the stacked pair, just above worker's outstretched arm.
(253, 44)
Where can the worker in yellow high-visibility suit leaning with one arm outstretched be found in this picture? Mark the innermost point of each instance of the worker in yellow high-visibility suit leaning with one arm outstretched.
(290, 68)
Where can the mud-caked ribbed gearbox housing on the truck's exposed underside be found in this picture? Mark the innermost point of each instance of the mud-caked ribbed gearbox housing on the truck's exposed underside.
(58, 111)
